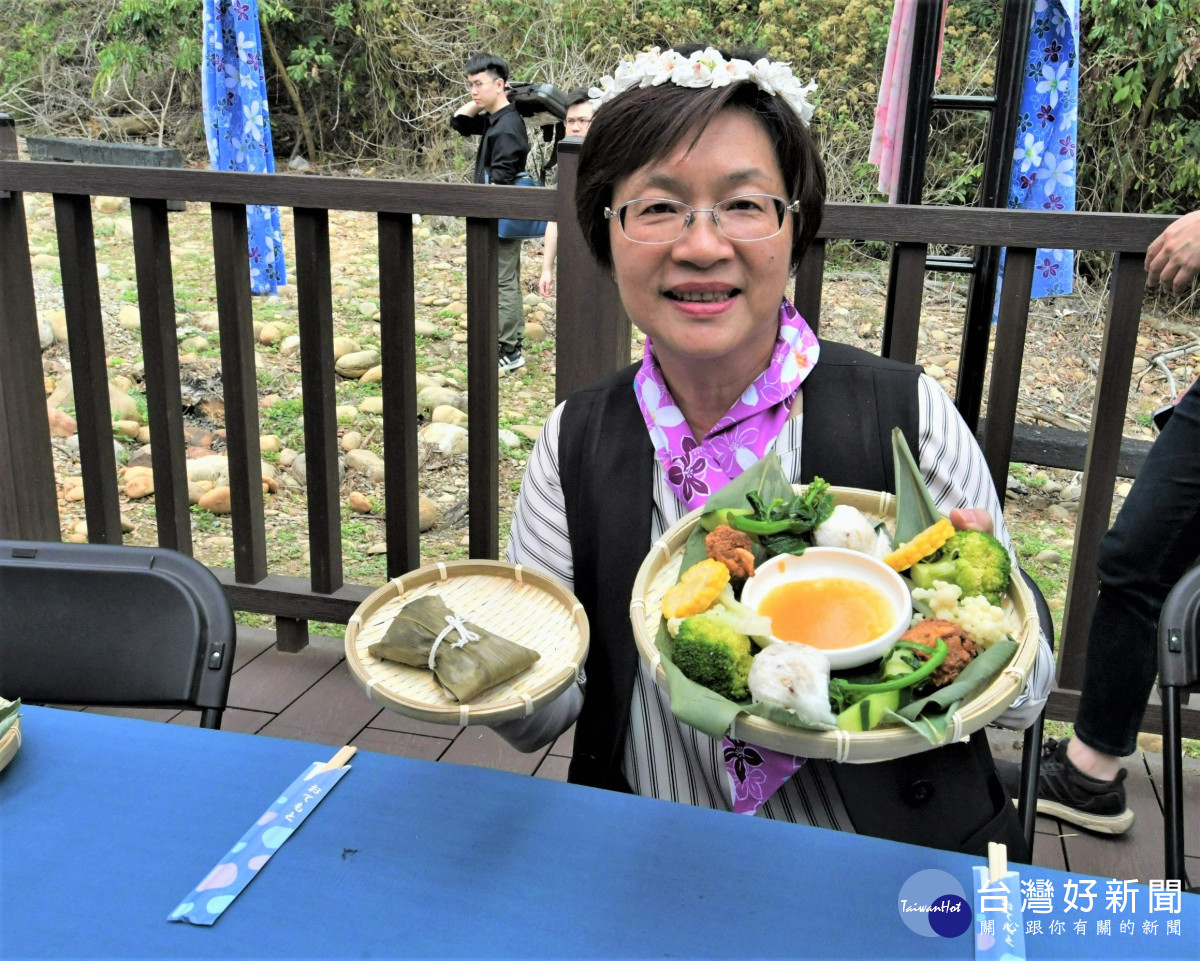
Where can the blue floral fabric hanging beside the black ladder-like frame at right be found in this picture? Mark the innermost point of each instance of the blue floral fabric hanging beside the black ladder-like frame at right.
(1045, 155)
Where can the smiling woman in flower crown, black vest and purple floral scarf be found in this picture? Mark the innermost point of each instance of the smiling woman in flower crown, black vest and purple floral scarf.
(700, 189)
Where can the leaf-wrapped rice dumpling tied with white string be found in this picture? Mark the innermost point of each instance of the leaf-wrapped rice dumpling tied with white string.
(467, 659)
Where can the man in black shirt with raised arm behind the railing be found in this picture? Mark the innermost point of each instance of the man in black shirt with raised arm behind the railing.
(503, 149)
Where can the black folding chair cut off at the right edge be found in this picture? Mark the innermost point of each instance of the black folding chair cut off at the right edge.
(1179, 672)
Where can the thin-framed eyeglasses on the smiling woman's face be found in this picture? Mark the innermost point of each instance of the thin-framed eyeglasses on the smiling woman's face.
(655, 220)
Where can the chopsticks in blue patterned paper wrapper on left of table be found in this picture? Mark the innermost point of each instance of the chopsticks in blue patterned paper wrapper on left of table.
(245, 860)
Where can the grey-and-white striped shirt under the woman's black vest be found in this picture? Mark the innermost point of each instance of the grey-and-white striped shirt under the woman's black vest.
(665, 759)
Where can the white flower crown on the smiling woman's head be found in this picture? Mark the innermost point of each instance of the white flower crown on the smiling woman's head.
(705, 68)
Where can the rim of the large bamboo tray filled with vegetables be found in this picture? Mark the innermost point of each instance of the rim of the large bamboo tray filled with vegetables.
(661, 570)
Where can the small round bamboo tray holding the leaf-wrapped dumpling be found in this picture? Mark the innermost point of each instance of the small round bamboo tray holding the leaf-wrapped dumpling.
(517, 603)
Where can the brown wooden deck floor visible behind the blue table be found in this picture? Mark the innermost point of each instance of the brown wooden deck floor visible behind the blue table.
(311, 696)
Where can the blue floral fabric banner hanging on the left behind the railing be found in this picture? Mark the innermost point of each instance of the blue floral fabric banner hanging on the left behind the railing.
(237, 127)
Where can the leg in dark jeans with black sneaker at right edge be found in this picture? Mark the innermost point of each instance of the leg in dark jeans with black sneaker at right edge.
(1153, 544)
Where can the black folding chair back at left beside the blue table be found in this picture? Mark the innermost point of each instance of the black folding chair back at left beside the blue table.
(115, 627)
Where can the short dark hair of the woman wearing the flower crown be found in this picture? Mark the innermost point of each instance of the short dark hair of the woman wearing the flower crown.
(644, 125)
